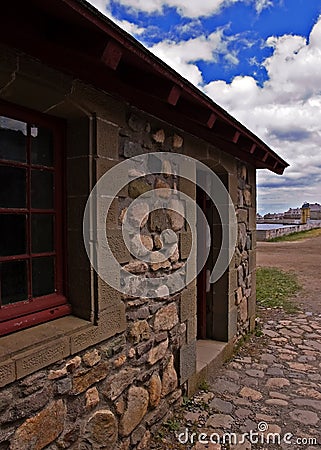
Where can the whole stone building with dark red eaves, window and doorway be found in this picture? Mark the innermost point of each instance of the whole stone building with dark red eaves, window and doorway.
(82, 365)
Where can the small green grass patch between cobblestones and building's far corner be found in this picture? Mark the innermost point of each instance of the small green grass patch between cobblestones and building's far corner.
(274, 288)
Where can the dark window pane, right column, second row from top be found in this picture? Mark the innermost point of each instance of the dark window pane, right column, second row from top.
(41, 189)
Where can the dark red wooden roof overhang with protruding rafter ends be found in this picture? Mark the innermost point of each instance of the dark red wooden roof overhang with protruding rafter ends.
(72, 36)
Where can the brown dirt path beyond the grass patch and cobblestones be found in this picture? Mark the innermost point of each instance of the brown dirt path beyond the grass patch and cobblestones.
(301, 257)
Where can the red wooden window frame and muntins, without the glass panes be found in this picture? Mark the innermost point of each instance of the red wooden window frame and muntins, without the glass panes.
(33, 311)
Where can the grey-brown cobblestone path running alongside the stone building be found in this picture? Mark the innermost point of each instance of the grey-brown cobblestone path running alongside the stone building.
(273, 385)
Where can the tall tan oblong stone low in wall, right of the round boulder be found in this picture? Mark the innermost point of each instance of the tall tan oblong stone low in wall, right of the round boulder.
(137, 405)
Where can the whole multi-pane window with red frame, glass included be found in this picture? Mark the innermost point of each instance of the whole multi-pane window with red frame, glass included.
(31, 220)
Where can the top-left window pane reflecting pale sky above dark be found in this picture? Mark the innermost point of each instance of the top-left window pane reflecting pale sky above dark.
(12, 139)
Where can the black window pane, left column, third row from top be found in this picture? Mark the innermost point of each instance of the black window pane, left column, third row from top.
(12, 234)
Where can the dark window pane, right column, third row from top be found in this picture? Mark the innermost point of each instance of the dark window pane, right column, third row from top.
(42, 233)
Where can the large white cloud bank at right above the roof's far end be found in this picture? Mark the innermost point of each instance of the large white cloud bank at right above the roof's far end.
(285, 112)
